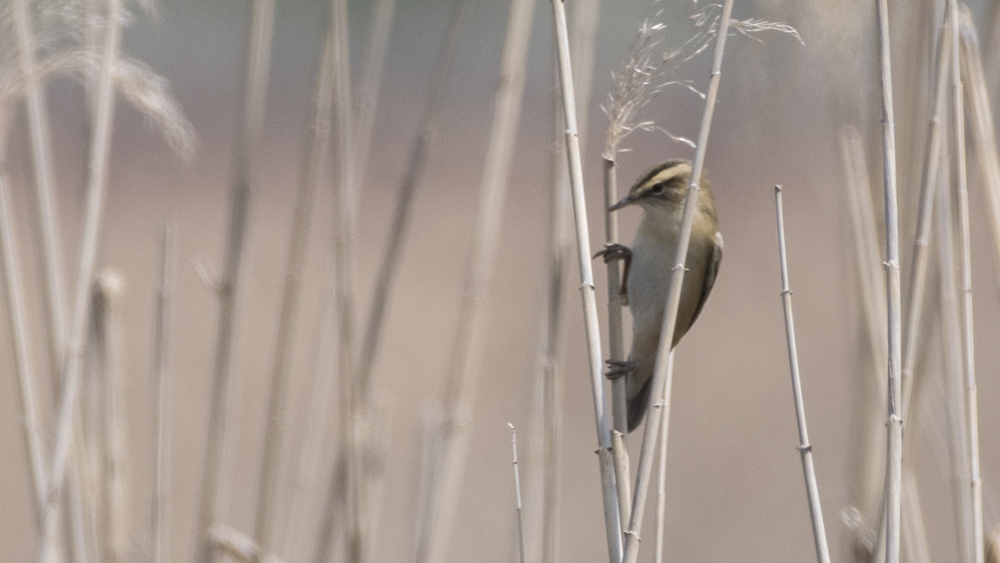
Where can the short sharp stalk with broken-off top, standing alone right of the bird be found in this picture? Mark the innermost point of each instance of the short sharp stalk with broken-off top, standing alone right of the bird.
(805, 448)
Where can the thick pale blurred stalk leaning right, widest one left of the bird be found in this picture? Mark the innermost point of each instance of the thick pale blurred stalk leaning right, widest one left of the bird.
(466, 360)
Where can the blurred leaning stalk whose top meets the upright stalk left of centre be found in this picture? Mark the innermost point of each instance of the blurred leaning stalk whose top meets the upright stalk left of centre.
(318, 142)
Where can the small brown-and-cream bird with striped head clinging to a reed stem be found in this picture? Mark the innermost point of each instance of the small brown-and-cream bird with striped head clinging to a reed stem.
(661, 192)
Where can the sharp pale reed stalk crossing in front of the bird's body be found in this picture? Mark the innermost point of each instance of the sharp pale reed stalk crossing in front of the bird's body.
(673, 297)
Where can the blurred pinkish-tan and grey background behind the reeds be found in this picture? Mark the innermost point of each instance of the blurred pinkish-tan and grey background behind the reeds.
(734, 481)
